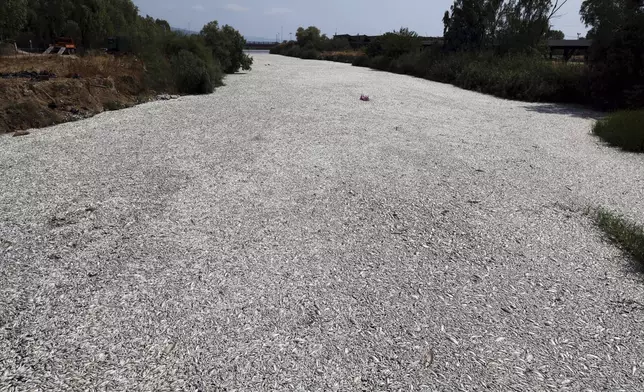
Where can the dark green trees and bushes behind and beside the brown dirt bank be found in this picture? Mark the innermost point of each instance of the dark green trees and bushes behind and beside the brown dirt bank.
(174, 61)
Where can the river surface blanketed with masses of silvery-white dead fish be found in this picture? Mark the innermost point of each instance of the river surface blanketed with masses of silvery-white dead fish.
(280, 234)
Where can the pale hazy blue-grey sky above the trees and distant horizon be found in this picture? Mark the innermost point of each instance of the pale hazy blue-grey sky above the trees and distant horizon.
(265, 18)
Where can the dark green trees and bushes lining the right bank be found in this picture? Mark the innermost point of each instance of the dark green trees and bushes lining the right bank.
(499, 47)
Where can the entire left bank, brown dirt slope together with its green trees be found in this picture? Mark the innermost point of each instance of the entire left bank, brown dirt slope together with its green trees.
(151, 59)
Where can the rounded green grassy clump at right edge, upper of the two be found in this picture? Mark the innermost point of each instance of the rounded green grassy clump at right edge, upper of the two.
(623, 130)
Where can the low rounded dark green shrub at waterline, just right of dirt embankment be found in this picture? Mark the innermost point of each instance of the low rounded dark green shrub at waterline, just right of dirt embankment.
(192, 74)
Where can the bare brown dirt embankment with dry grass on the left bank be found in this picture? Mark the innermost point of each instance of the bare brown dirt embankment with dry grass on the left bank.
(38, 91)
